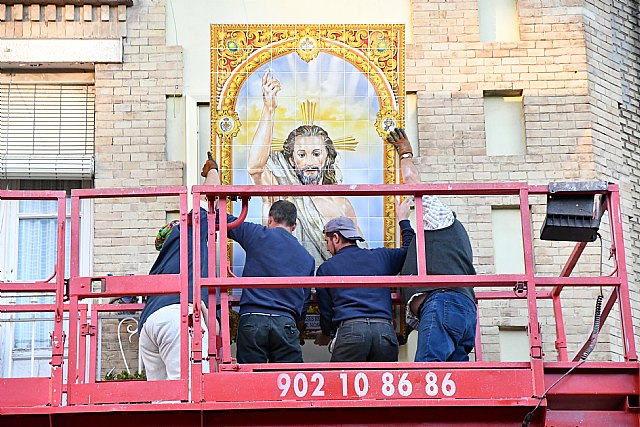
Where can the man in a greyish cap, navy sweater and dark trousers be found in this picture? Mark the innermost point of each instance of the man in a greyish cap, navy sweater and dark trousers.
(362, 316)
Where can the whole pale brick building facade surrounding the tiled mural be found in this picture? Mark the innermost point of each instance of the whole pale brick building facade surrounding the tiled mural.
(533, 91)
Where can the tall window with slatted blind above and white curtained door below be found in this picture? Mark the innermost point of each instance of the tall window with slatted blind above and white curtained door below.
(46, 143)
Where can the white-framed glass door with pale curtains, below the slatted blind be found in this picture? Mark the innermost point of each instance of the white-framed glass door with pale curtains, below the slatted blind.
(28, 237)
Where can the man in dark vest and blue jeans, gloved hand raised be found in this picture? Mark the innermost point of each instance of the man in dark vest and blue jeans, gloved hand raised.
(444, 317)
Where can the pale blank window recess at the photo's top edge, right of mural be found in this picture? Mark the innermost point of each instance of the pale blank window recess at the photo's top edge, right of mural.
(498, 20)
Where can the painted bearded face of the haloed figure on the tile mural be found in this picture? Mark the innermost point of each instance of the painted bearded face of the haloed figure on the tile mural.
(310, 159)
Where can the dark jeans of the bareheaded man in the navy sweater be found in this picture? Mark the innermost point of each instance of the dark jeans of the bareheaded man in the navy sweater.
(266, 338)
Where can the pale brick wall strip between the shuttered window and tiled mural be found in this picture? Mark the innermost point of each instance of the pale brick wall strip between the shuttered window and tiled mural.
(130, 141)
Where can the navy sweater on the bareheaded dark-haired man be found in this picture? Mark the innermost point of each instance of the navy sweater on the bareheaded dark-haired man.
(272, 252)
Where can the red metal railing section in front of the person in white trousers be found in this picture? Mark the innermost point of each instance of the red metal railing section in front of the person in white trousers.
(81, 390)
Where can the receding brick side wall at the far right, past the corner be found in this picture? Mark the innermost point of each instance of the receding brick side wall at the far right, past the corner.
(611, 32)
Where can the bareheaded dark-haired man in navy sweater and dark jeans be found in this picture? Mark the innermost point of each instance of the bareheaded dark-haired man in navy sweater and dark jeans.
(267, 330)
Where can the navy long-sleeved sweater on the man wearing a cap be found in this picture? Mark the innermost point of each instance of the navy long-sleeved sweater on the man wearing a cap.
(339, 304)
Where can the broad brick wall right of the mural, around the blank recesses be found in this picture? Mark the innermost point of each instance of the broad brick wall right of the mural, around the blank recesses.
(450, 68)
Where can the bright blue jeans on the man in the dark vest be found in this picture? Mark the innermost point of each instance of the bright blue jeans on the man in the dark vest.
(447, 330)
